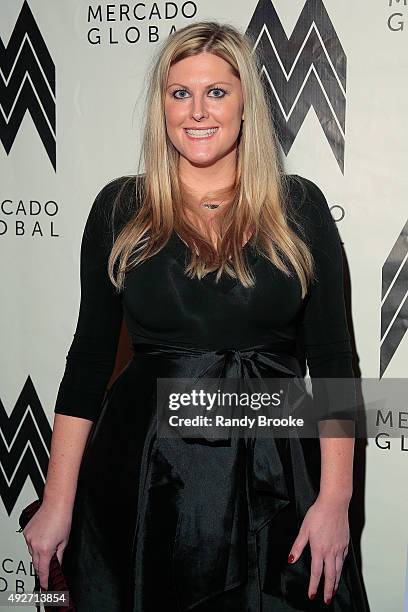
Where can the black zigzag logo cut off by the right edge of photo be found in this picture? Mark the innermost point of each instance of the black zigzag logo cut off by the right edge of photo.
(394, 299)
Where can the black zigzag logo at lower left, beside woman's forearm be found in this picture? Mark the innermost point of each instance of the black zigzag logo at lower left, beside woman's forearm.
(25, 440)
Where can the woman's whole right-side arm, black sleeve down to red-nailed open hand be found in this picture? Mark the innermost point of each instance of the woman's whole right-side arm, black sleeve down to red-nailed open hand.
(325, 338)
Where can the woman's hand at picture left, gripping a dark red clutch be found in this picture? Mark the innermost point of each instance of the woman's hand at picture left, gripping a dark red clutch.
(47, 532)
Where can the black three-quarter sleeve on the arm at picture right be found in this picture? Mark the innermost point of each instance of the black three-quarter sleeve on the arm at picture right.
(323, 330)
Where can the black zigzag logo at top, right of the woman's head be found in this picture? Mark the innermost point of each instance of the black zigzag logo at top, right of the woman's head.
(307, 69)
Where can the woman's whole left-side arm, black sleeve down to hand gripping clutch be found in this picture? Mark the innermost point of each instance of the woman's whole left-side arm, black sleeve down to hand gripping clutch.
(89, 364)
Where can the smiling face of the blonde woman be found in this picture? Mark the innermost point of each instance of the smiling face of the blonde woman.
(202, 93)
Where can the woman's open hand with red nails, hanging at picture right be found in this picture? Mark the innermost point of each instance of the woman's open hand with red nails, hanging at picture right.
(326, 527)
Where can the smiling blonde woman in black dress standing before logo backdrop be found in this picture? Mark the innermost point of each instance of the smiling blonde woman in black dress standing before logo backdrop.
(143, 523)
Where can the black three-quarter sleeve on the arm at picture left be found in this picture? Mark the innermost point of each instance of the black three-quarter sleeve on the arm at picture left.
(91, 356)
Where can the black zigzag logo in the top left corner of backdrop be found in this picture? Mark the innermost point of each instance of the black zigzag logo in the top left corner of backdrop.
(28, 84)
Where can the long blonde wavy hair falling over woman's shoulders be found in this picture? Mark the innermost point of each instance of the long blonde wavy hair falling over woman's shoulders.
(259, 195)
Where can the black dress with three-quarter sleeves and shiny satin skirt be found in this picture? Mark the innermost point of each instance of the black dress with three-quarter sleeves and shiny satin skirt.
(178, 525)
